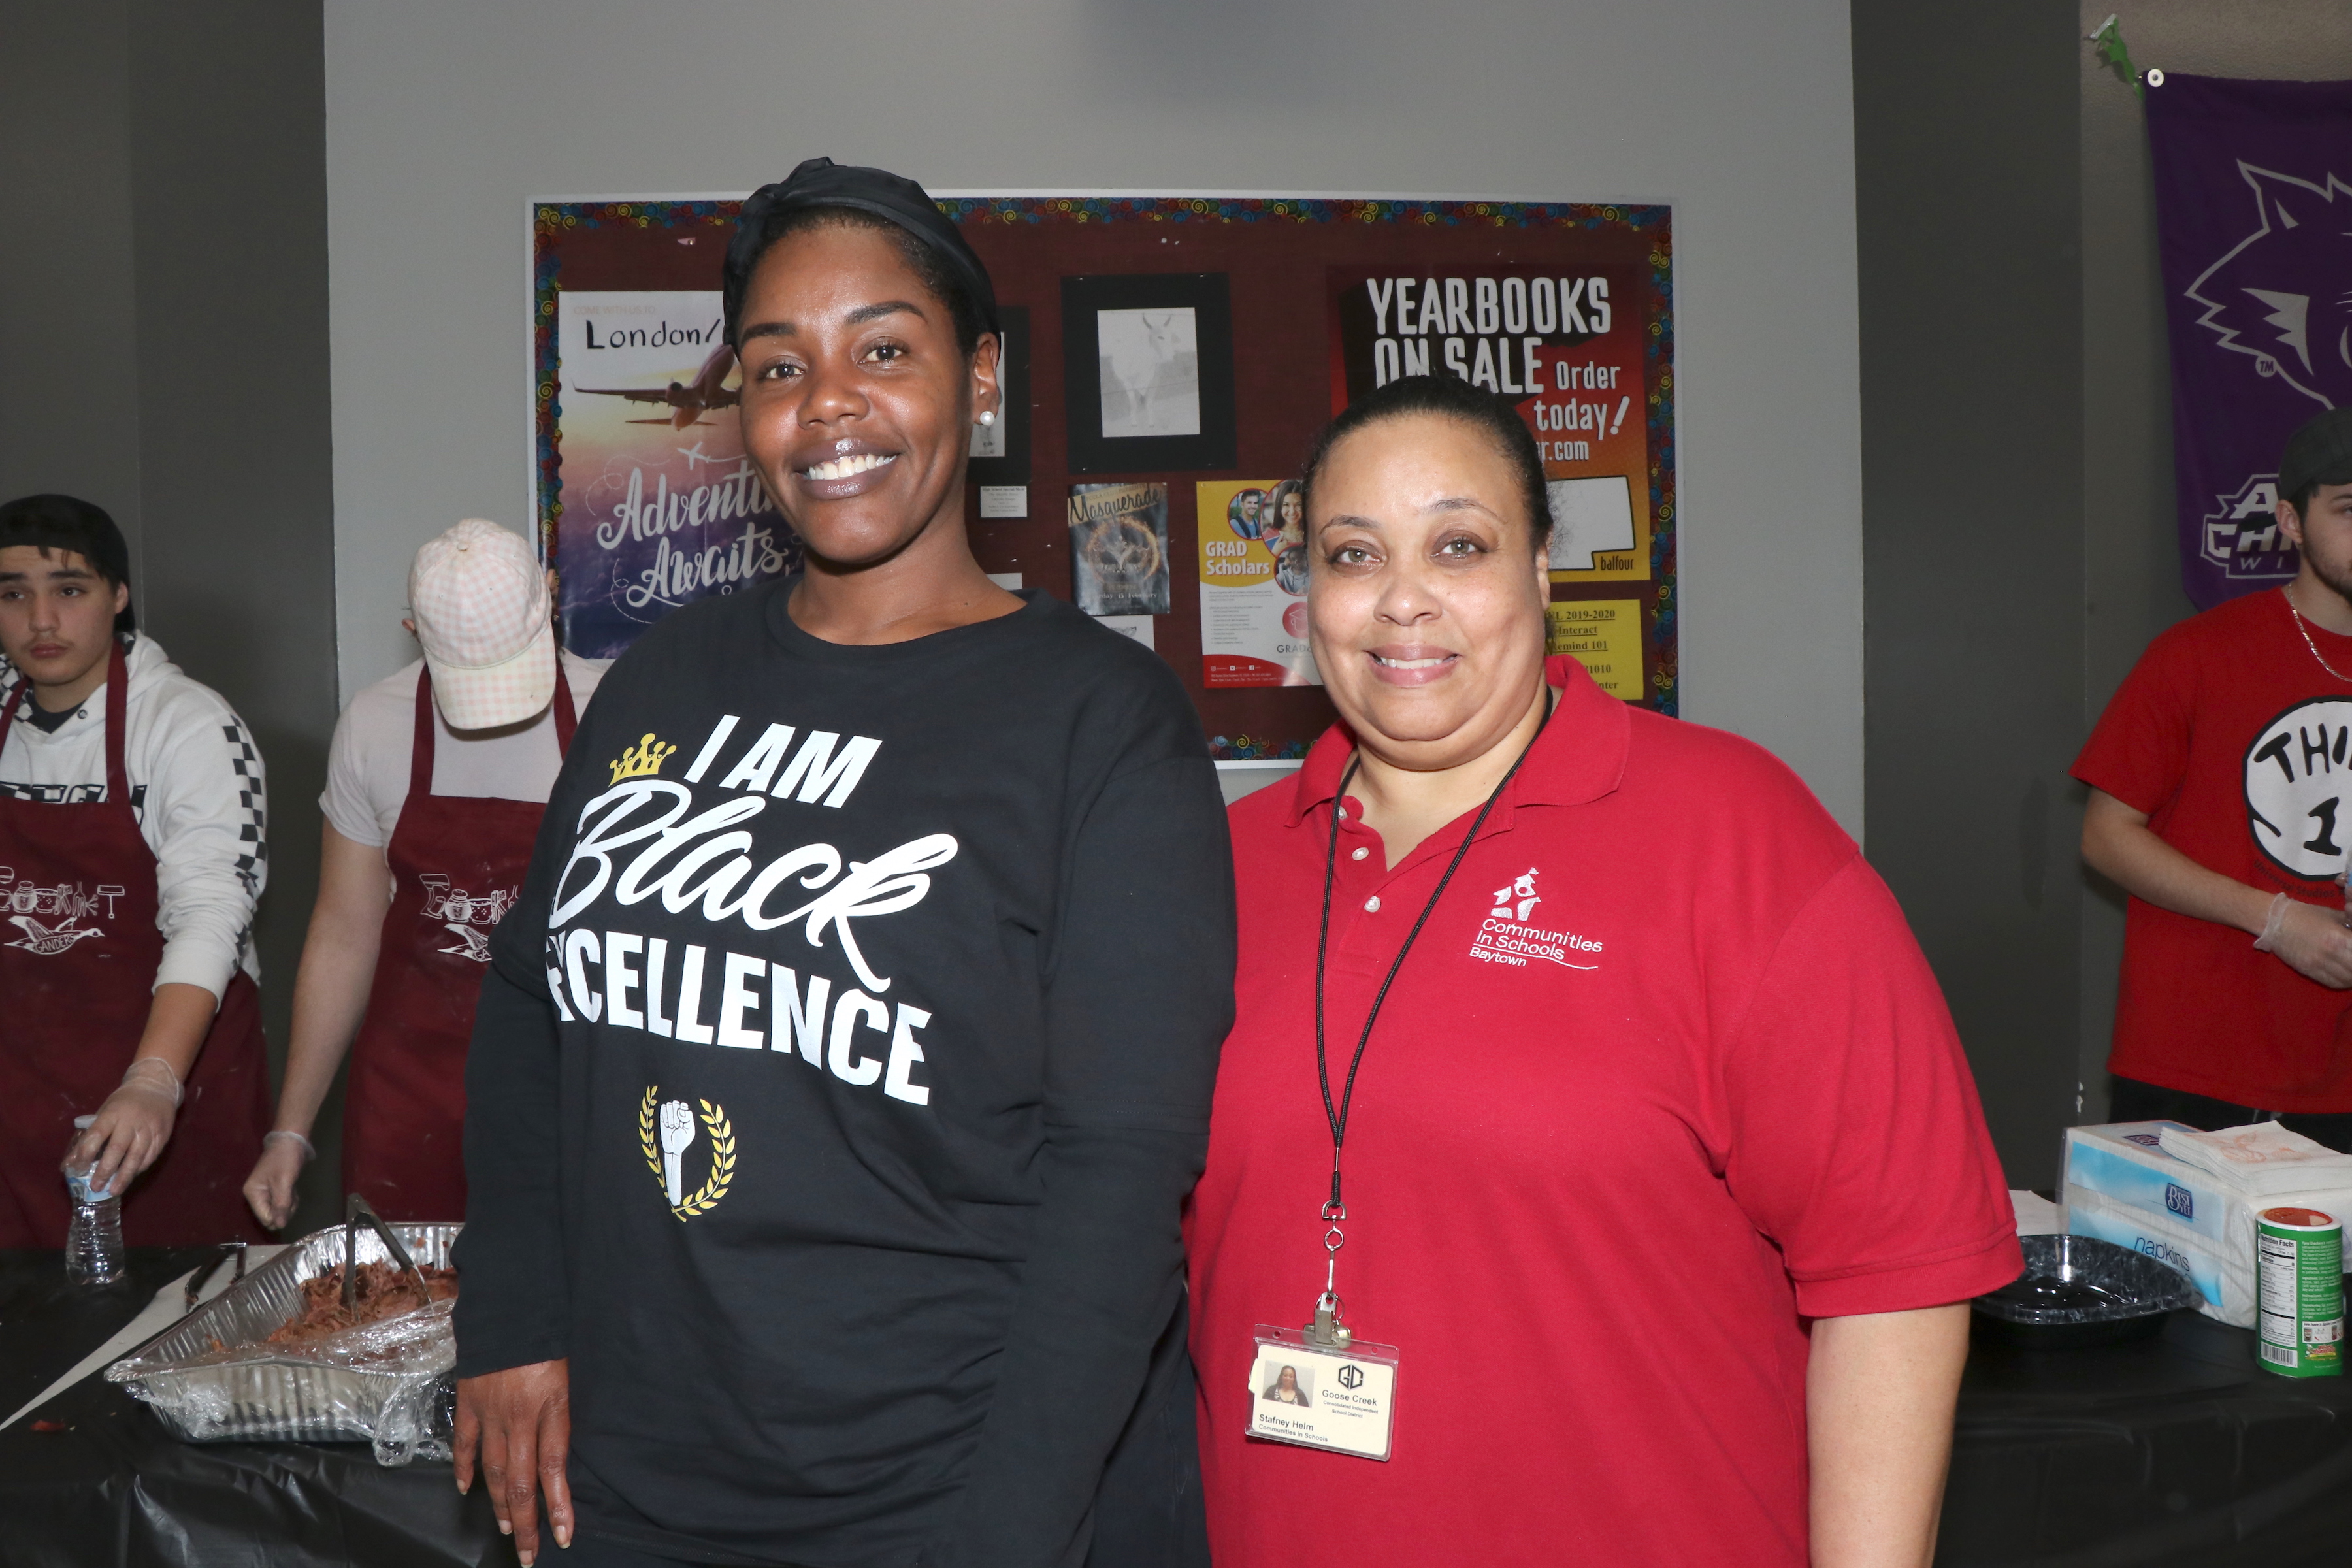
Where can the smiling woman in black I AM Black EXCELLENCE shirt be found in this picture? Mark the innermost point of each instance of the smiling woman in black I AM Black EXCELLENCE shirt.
(848, 1059)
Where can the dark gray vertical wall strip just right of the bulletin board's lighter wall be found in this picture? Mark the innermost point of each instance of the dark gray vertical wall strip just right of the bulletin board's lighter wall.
(1972, 476)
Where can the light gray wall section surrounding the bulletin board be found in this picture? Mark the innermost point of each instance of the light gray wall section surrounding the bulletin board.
(443, 119)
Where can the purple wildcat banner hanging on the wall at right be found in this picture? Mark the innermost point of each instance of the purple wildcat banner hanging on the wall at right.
(2254, 225)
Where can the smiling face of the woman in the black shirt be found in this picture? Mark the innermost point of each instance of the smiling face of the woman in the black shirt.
(857, 401)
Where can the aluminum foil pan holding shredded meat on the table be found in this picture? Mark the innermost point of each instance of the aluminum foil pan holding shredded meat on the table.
(215, 1379)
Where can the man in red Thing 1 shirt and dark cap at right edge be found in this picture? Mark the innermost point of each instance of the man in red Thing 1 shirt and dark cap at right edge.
(2217, 782)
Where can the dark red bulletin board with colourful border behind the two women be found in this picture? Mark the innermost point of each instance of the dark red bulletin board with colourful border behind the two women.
(1168, 356)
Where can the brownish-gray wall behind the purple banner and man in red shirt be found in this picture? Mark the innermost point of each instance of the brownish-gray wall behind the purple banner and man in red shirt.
(2132, 568)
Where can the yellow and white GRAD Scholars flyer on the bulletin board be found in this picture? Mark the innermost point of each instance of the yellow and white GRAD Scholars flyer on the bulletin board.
(1252, 584)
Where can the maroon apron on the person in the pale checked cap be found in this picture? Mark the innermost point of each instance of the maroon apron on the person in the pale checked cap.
(457, 869)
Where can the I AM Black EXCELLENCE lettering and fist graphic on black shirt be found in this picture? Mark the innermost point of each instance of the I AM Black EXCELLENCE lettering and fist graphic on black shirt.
(686, 845)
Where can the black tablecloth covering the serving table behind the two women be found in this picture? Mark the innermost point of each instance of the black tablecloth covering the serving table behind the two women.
(2167, 1454)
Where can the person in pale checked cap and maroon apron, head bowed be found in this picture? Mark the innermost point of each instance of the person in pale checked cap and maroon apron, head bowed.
(434, 793)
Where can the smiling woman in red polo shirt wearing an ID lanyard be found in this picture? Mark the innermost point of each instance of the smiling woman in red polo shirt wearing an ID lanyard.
(1617, 1085)
